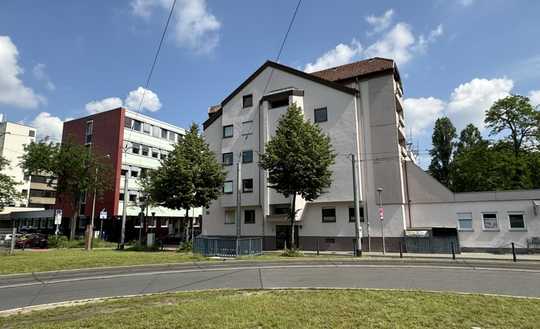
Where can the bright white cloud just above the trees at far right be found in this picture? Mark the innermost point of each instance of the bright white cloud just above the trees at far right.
(470, 100)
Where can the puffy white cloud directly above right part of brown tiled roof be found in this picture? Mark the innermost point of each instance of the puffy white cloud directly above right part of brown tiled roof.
(395, 44)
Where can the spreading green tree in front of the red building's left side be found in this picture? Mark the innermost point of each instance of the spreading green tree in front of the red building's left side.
(74, 171)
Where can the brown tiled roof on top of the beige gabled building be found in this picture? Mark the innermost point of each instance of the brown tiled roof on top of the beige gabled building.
(352, 70)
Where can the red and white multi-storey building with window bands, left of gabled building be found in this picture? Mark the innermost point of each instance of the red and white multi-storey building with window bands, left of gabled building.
(133, 144)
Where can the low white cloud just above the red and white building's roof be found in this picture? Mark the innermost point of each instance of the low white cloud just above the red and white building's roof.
(150, 102)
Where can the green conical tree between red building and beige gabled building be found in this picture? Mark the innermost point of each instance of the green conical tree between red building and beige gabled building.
(190, 176)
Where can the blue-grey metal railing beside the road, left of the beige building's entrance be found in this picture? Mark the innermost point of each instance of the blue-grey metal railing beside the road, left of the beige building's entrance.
(226, 247)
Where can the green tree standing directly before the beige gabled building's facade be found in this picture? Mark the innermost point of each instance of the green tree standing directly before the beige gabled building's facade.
(298, 160)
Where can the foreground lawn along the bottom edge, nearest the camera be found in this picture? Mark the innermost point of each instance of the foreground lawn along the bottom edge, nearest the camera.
(291, 309)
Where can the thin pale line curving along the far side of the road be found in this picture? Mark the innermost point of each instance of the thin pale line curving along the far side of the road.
(239, 268)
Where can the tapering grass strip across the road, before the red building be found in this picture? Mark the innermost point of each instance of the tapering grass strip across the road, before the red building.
(62, 259)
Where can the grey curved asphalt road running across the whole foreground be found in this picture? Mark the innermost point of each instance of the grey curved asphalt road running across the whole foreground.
(28, 290)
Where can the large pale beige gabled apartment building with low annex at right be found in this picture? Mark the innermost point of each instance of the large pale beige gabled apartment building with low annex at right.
(359, 105)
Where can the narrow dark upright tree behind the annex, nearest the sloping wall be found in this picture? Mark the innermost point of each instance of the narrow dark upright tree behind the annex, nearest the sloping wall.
(442, 139)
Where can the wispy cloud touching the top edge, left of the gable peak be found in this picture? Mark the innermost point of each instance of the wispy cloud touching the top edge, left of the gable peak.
(194, 26)
